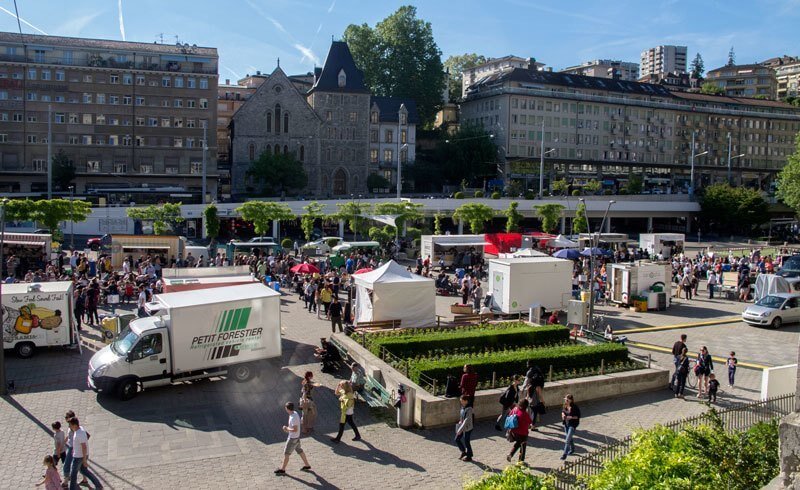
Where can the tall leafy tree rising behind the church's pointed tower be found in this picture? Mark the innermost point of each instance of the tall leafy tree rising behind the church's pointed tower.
(400, 58)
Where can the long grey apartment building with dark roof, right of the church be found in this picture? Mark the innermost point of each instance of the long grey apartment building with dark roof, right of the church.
(609, 129)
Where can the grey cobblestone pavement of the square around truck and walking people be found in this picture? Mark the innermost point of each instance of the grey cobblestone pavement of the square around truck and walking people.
(217, 433)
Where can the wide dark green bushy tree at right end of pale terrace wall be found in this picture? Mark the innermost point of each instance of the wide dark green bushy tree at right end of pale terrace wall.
(732, 209)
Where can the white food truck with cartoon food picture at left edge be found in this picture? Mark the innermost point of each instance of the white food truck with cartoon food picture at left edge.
(37, 315)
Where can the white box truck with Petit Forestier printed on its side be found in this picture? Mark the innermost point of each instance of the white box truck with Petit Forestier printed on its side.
(194, 335)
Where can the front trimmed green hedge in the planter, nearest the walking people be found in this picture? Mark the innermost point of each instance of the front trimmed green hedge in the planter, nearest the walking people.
(508, 363)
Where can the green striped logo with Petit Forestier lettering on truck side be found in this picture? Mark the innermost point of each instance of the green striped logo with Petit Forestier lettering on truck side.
(230, 335)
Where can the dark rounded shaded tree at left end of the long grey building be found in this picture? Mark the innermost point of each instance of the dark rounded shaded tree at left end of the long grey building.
(467, 156)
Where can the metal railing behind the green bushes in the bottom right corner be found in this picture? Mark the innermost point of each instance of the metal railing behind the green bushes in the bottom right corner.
(738, 418)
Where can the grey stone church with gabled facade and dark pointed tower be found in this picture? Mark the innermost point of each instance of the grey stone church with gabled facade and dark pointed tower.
(327, 128)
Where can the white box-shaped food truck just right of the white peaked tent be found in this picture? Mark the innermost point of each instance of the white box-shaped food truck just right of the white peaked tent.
(518, 283)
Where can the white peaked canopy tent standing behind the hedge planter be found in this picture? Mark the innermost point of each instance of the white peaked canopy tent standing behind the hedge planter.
(390, 292)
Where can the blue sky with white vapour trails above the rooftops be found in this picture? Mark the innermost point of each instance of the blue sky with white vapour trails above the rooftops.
(252, 34)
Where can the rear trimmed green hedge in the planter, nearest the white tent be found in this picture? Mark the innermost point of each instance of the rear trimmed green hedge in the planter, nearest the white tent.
(494, 336)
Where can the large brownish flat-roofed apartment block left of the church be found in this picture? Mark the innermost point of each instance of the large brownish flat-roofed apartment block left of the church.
(131, 117)
